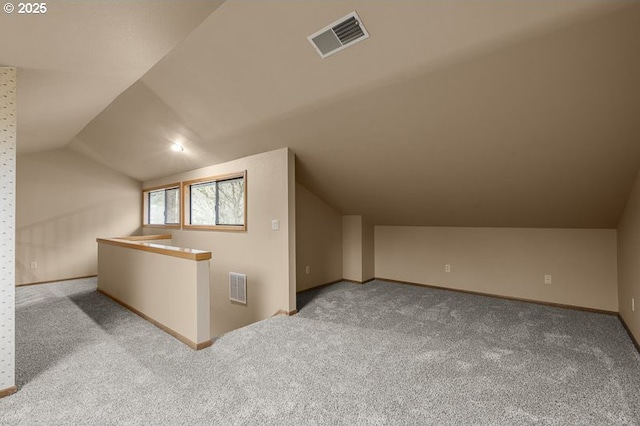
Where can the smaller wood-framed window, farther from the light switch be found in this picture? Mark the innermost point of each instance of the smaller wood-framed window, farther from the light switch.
(162, 206)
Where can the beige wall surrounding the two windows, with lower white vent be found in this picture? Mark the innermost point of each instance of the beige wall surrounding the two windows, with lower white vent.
(260, 252)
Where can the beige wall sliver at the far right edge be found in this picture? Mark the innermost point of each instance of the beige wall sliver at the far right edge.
(629, 261)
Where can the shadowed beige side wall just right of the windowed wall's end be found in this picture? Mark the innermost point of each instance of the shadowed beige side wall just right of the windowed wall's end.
(318, 241)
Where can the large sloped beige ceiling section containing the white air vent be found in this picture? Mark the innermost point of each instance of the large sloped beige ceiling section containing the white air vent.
(501, 113)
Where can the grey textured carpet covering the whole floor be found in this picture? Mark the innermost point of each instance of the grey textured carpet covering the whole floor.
(379, 353)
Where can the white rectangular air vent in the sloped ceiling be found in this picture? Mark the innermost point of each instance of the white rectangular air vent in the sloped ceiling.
(343, 33)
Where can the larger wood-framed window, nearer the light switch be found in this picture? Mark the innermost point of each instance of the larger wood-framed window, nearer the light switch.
(216, 202)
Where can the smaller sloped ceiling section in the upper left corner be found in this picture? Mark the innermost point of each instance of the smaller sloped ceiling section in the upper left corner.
(77, 57)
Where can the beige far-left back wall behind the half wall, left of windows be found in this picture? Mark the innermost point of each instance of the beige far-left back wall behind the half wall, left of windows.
(65, 201)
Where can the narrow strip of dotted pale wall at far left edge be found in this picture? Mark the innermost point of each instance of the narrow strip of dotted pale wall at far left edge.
(7, 225)
